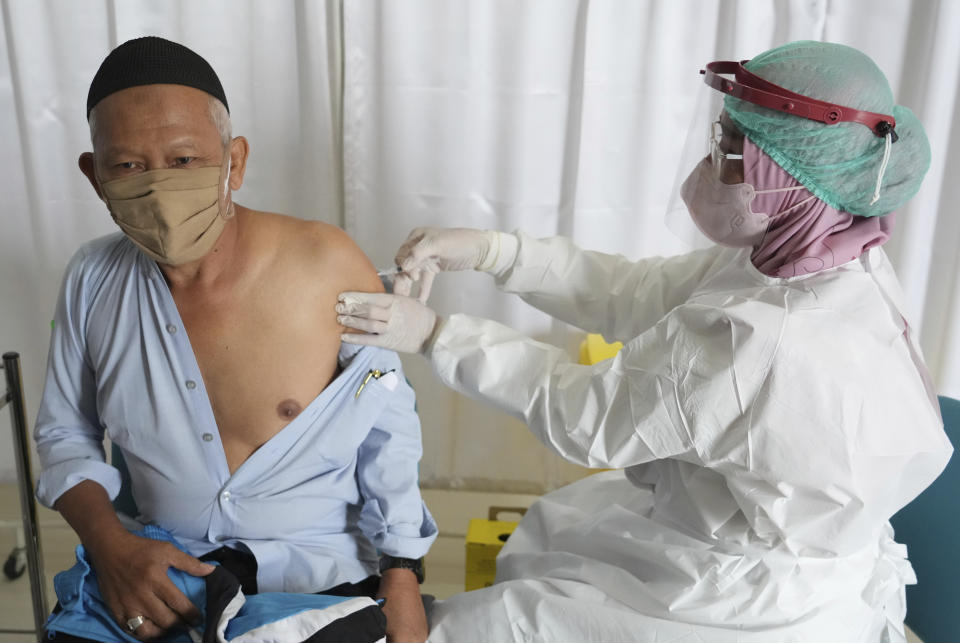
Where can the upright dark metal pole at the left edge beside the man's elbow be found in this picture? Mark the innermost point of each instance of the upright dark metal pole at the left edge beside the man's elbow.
(28, 505)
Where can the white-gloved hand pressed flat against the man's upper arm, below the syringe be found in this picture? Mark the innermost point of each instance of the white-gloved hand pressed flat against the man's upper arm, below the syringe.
(394, 322)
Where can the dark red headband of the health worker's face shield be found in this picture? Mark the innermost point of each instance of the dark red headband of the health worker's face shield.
(753, 89)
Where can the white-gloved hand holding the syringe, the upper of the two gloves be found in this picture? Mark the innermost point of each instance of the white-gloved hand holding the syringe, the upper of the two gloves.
(427, 251)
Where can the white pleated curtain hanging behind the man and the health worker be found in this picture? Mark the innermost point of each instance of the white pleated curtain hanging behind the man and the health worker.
(554, 116)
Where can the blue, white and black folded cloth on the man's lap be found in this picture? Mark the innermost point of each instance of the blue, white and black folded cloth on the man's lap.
(228, 615)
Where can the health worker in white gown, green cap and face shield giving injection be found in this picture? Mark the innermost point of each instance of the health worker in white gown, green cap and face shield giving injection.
(769, 411)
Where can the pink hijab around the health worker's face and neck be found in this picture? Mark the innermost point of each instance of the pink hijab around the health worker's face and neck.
(812, 236)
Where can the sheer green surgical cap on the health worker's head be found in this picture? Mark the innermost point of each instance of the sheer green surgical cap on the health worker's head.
(838, 163)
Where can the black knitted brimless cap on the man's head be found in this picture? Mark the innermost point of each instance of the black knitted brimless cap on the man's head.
(149, 61)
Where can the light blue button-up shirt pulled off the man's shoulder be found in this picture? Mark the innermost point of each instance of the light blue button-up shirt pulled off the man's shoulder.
(312, 504)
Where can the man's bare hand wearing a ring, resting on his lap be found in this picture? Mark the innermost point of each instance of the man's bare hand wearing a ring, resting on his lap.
(132, 575)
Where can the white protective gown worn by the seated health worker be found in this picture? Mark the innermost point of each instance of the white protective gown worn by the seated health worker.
(767, 430)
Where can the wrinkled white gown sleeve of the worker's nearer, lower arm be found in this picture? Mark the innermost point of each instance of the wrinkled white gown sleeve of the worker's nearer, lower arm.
(634, 408)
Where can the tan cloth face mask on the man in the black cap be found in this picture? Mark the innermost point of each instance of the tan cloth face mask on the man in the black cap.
(172, 215)
